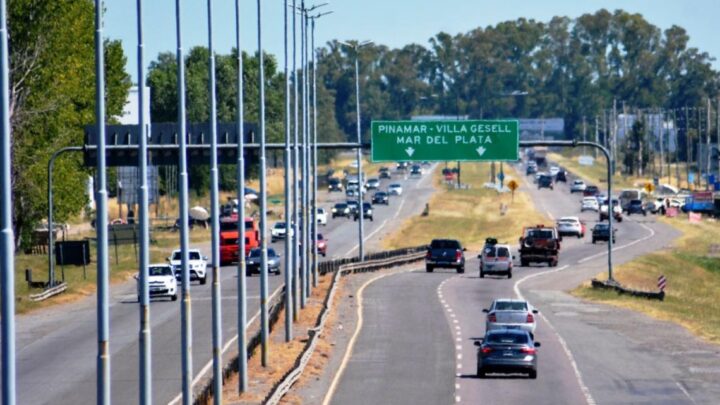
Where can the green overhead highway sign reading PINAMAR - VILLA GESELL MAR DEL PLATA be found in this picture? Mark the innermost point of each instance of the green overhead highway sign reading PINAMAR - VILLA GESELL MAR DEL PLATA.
(476, 140)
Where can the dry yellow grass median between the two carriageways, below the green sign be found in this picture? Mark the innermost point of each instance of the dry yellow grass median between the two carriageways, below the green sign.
(469, 215)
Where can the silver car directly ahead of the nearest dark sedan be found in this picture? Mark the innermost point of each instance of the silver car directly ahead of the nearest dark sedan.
(508, 313)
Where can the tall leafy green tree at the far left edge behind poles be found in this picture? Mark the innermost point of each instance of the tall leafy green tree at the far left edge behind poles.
(52, 97)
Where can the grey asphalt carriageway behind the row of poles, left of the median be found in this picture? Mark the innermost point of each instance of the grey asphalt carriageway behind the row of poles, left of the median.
(56, 347)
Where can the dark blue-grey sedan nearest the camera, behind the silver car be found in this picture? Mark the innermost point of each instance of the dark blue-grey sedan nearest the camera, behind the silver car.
(507, 351)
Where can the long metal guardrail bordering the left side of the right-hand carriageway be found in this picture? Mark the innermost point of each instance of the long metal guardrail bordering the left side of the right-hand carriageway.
(292, 376)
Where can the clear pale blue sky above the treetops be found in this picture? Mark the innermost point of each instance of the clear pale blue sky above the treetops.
(394, 23)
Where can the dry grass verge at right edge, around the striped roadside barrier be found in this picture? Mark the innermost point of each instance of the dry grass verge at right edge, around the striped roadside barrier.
(693, 281)
